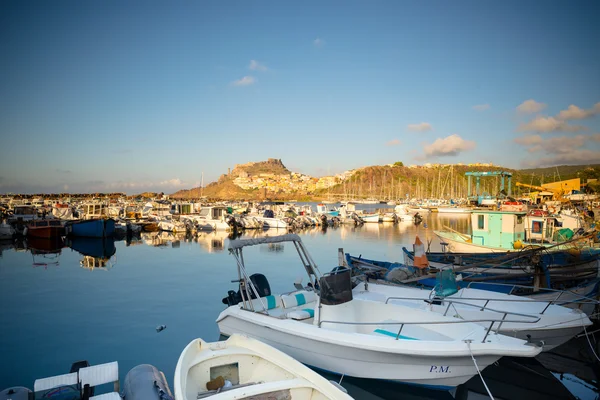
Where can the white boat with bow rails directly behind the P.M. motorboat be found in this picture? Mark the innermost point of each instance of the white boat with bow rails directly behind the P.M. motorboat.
(533, 320)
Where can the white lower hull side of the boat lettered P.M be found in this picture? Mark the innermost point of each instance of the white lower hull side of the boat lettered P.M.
(442, 373)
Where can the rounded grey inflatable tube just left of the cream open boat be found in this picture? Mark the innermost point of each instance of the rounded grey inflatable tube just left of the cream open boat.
(145, 382)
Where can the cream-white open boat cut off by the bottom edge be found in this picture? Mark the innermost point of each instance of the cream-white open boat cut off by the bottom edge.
(241, 368)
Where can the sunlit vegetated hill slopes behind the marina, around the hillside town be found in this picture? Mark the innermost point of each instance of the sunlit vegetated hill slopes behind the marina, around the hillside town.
(391, 182)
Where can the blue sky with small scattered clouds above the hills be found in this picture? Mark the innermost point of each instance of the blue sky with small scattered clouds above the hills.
(141, 95)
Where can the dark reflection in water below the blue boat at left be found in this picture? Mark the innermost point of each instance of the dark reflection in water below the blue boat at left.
(97, 252)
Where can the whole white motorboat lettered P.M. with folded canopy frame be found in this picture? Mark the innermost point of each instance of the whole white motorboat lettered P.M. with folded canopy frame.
(332, 331)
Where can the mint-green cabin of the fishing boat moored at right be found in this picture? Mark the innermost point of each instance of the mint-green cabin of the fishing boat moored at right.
(497, 228)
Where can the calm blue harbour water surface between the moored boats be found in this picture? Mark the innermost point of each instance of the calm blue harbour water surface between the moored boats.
(56, 310)
